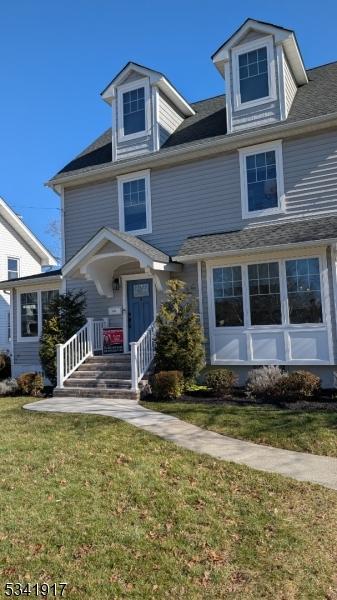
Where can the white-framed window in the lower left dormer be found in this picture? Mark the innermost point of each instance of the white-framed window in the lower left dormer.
(133, 110)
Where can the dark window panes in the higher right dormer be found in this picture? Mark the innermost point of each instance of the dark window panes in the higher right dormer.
(253, 75)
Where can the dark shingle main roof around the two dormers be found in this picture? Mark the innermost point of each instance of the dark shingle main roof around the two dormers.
(316, 98)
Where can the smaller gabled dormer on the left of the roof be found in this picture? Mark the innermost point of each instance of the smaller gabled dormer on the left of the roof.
(146, 109)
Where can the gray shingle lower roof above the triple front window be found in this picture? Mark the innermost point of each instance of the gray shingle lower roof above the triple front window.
(295, 232)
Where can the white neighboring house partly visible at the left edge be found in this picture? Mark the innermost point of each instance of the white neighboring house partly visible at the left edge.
(21, 255)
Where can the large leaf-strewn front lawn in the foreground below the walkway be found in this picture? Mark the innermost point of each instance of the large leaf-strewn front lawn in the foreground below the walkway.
(118, 513)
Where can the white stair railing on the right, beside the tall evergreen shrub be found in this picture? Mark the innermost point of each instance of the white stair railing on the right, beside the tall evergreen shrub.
(142, 354)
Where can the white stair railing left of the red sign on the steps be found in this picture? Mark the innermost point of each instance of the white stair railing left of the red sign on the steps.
(81, 345)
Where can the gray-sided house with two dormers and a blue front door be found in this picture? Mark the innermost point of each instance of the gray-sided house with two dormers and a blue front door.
(236, 195)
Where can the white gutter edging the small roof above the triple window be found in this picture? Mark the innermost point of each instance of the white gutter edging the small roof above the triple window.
(203, 256)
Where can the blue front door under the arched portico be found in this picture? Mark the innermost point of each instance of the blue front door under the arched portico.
(140, 307)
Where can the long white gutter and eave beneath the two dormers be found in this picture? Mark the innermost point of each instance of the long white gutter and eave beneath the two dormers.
(203, 148)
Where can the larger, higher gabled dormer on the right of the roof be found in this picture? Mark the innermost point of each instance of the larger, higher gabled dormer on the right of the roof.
(263, 68)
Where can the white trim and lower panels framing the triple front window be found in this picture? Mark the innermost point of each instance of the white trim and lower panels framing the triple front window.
(285, 326)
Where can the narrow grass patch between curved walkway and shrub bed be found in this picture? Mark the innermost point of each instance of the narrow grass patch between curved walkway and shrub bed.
(314, 432)
